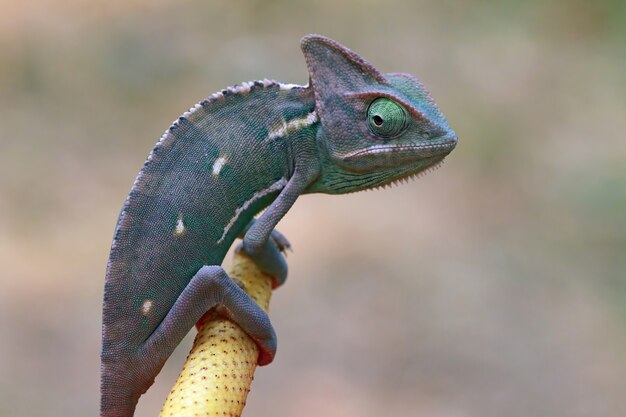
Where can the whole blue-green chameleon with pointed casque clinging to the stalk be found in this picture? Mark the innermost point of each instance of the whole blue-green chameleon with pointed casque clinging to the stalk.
(256, 145)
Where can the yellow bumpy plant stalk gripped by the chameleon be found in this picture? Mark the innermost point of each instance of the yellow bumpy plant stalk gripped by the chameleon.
(216, 377)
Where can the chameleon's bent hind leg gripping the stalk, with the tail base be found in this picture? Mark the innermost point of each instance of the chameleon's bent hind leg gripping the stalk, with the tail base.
(125, 380)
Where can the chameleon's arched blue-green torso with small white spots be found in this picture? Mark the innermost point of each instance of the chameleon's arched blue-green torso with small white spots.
(211, 172)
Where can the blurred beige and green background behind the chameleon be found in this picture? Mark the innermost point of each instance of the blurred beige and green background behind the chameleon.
(494, 287)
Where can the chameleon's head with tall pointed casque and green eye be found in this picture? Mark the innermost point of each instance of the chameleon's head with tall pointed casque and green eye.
(375, 129)
